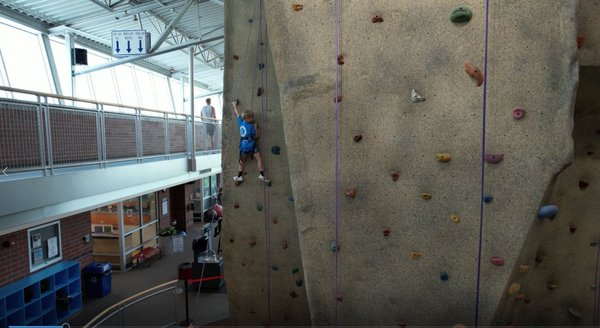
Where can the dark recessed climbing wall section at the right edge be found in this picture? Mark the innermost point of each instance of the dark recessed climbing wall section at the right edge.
(557, 268)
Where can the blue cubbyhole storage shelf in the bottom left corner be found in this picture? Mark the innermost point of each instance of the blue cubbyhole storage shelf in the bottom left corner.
(44, 298)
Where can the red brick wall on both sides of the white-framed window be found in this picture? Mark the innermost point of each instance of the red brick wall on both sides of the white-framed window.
(14, 260)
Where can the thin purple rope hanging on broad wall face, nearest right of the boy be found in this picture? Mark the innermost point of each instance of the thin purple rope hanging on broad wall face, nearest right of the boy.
(337, 156)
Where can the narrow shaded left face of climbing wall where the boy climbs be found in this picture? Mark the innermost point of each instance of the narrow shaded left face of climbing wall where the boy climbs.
(263, 267)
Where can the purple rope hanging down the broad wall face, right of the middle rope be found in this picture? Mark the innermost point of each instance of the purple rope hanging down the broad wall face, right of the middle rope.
(487, 4)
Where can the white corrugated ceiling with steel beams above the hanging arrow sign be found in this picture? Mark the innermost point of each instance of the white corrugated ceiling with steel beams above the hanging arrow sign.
(175, 27)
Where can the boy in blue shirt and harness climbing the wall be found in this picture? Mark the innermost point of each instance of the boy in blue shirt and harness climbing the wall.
(248, 145)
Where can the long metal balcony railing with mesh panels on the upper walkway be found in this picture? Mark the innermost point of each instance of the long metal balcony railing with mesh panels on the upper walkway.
(44, 132)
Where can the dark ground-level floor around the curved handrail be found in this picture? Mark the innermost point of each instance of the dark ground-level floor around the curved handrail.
(205, 307)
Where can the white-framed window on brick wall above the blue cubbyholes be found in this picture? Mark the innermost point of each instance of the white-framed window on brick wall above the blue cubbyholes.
(44, 245)
